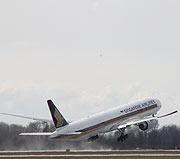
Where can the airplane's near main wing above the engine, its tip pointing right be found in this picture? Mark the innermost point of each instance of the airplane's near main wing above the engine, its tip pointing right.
(138, 121)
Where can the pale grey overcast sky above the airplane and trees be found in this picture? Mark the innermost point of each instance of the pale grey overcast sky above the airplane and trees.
(88, 56)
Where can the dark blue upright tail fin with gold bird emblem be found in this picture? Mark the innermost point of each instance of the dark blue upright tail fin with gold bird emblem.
(57, 117)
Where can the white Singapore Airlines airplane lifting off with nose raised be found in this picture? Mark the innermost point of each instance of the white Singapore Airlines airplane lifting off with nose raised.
(141, 114)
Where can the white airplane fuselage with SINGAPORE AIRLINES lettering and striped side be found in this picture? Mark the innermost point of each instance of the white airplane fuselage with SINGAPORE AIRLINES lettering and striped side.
(108, 120)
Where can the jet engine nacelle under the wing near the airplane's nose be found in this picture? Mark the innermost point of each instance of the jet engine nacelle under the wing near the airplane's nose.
(148, 125)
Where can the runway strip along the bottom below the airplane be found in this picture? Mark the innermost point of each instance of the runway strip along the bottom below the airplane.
(160, 154)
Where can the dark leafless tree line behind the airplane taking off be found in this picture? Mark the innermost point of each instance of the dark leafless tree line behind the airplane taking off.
(166, 137)
